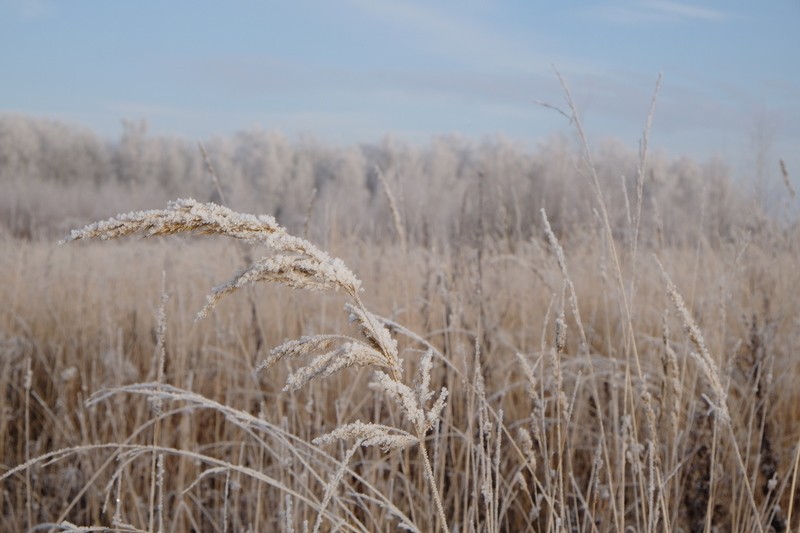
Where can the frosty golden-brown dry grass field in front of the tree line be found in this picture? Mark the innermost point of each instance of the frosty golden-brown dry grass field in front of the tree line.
(630, 372)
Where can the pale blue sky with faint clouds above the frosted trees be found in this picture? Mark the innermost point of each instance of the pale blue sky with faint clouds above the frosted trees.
(348, 71)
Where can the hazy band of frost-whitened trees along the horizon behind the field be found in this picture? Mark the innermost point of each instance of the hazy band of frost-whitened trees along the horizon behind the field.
(56, 175)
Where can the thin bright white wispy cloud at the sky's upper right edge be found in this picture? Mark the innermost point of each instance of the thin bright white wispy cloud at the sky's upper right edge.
(656, 11)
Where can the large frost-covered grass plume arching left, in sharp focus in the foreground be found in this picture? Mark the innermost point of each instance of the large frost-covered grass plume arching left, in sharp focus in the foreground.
(298, 264)
